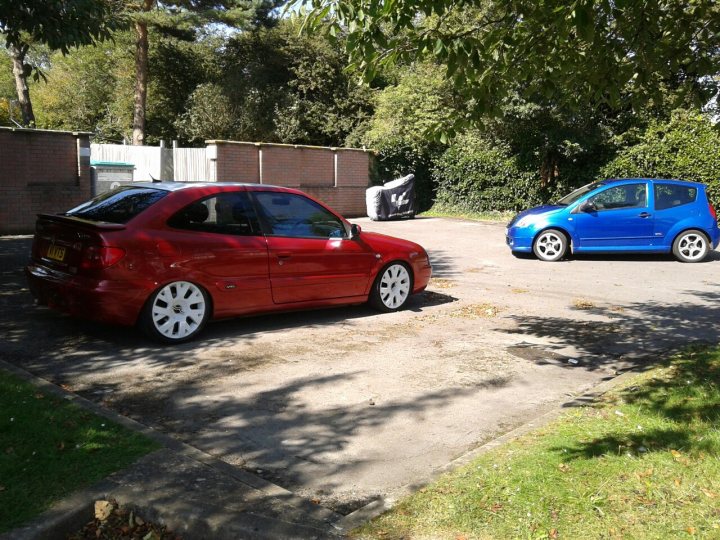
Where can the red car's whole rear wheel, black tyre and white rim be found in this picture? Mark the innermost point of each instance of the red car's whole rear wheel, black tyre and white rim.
(176, 312)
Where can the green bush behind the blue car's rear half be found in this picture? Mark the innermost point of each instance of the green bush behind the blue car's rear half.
(687, 147)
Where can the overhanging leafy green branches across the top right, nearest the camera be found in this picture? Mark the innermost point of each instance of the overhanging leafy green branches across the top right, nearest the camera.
(580, 51)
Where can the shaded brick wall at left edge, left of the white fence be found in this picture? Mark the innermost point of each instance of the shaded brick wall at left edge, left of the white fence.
(40, 172)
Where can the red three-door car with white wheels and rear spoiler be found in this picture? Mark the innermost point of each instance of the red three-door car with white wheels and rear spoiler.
(171, 256)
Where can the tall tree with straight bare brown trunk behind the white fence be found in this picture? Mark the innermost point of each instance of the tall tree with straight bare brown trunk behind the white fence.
(178, 16)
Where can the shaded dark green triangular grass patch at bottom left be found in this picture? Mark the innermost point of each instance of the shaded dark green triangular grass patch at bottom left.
(50, 448)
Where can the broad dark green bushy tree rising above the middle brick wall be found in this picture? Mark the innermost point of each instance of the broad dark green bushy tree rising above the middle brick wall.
(274, 85)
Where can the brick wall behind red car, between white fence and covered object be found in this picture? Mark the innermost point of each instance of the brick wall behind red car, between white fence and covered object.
(336, 176)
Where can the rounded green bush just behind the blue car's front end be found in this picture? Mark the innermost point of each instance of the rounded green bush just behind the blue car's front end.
(475, 176)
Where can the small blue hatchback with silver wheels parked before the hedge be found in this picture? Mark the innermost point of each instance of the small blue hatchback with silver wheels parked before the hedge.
(613, 216)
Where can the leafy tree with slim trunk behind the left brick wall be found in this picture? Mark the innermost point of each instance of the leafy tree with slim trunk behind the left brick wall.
(59, 24)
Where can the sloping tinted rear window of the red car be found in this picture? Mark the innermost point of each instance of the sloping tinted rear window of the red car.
(118, 206)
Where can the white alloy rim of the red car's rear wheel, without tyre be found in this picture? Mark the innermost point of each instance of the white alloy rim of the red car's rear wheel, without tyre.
(178, 310)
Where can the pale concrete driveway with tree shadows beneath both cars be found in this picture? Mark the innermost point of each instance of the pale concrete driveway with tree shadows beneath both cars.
(345, 405)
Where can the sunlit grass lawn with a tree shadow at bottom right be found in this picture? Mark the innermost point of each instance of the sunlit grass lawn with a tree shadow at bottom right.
(642, 463)
